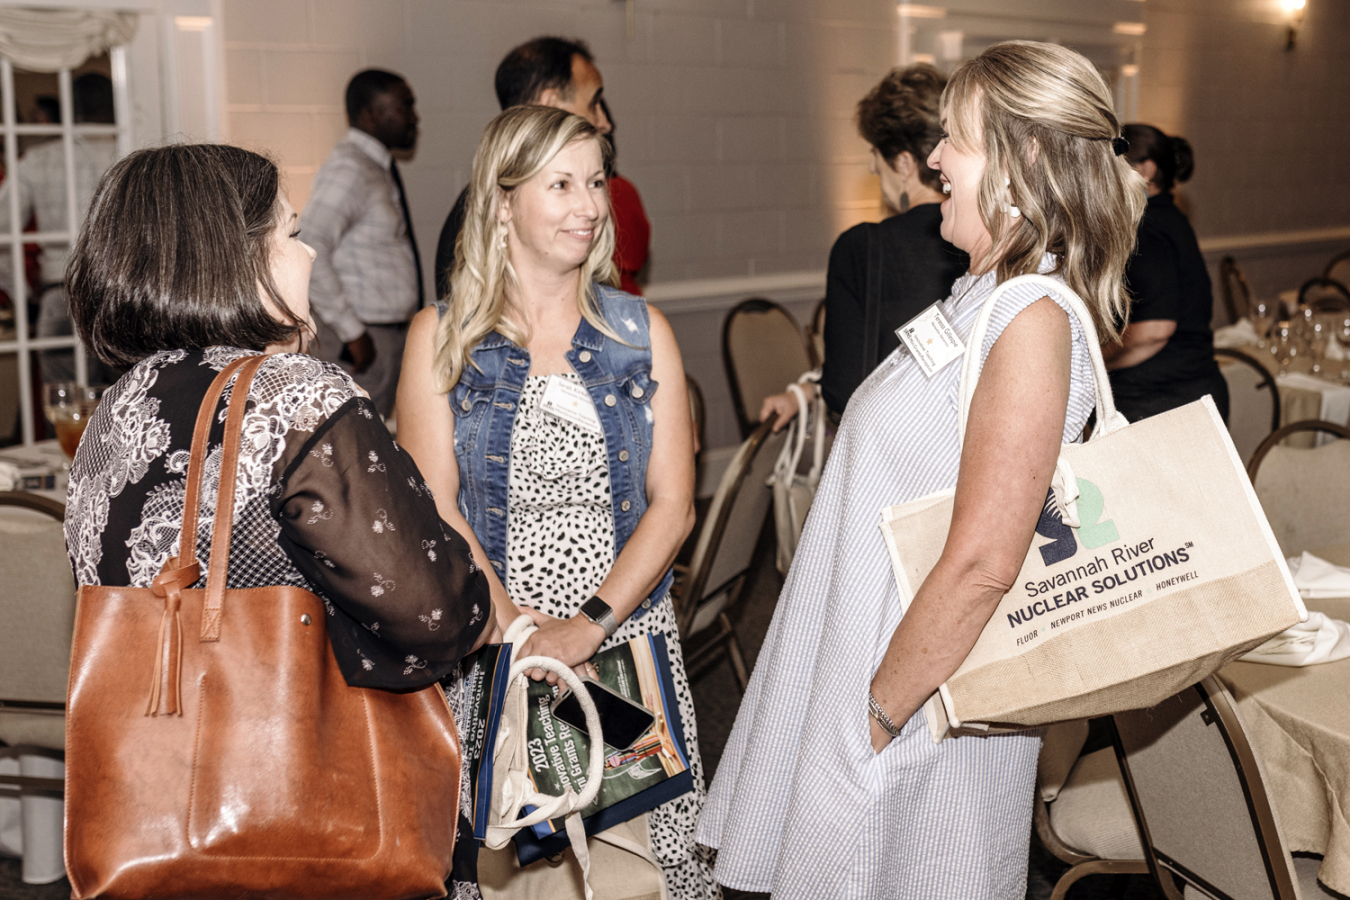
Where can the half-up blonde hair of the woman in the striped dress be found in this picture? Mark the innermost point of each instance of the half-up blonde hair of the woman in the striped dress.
(1044, 119)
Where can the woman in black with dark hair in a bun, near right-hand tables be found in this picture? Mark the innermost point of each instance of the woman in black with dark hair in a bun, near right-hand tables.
(1166, 357)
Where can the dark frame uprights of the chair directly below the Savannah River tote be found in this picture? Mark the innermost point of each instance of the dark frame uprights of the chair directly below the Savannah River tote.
(1220, 706)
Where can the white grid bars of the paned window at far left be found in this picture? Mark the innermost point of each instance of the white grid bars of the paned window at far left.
(16, 238)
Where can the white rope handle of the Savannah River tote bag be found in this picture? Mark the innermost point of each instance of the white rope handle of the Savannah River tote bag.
(1110, 420)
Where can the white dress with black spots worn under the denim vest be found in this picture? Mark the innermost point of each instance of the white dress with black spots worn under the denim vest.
(560, 549)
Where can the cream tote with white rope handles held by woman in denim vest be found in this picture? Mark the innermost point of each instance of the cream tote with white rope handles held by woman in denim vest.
(618, 864)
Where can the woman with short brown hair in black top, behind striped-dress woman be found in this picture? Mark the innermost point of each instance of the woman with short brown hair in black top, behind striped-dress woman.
(915, 266)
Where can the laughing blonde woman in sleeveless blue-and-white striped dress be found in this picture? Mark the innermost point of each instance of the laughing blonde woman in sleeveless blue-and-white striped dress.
(831, 785)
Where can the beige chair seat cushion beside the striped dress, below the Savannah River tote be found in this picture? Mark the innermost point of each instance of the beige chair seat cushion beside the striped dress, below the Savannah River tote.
(1093, 812)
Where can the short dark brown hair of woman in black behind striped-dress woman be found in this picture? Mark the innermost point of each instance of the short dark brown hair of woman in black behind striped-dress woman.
(902, 115)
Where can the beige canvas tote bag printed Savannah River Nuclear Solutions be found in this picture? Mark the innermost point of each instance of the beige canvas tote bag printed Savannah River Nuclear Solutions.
(1152, 567)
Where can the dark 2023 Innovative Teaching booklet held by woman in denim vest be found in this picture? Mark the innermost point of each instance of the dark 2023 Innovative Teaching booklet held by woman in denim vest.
(654, 771)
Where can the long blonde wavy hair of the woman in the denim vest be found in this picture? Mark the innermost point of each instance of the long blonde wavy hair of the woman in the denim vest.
(515, 148)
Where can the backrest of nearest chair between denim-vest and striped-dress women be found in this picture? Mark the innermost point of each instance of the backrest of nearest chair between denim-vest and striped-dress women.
(731, 531)
